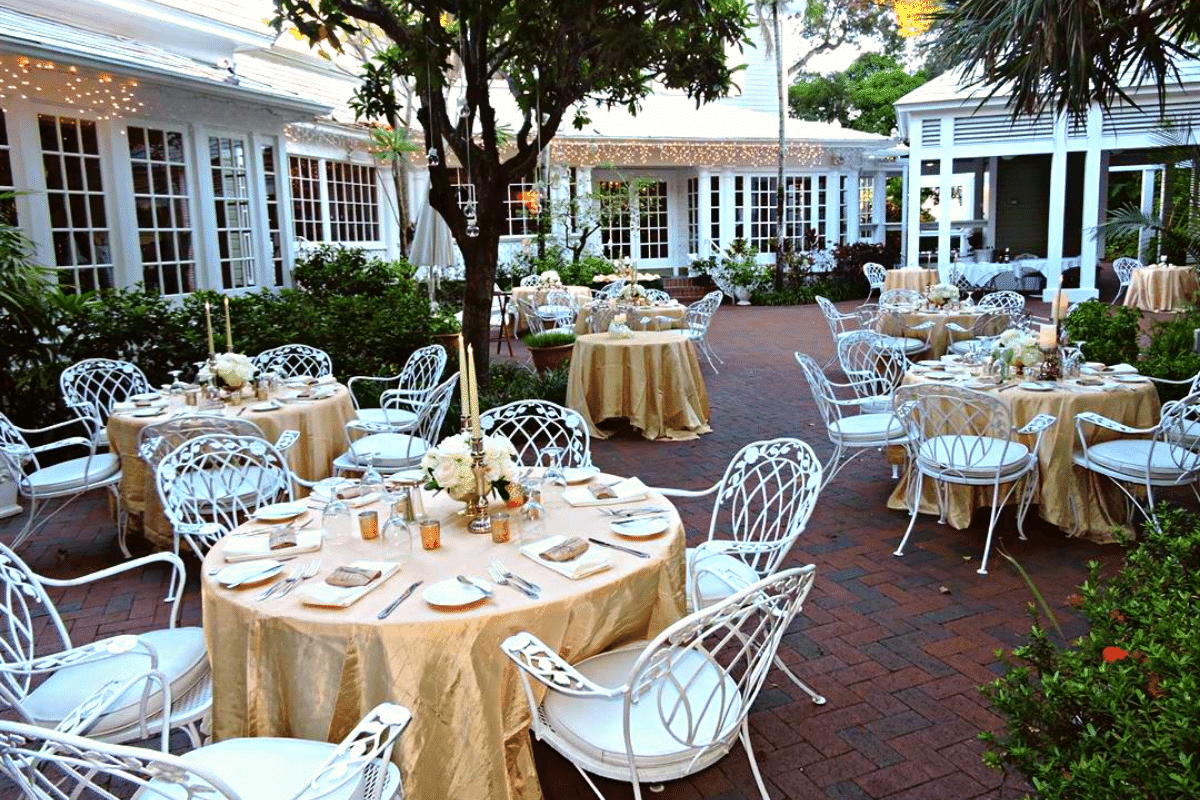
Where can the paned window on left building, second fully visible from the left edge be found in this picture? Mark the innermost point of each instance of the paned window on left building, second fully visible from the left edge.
(164, 208)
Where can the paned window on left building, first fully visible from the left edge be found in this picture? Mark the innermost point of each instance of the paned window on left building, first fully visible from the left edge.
(75, 191)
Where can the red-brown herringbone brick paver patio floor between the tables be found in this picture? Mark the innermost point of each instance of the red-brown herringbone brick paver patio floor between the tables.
(897, 646)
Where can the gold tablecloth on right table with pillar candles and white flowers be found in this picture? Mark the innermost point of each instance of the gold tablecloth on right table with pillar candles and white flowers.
(1075, 500)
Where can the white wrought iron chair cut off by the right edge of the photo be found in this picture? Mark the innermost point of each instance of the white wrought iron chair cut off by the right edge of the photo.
(1148, 459)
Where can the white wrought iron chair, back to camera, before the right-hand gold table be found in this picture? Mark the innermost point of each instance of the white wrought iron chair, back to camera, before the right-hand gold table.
(967, 438)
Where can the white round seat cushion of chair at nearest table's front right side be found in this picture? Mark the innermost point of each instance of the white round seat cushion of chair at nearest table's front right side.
(596, 726)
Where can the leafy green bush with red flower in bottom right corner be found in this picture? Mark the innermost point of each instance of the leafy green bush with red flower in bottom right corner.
(1114, 714)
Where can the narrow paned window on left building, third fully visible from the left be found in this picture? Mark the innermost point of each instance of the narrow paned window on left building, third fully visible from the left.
(230, 171)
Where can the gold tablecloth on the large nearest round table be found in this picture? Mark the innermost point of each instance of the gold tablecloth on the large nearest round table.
(281, 669)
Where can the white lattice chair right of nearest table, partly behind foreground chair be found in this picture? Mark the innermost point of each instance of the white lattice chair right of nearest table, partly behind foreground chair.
(764, 501)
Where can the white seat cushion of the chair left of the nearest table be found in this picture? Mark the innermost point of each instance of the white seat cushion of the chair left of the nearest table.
(182, 659)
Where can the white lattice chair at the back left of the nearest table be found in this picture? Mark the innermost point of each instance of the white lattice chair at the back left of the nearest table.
(212, 484)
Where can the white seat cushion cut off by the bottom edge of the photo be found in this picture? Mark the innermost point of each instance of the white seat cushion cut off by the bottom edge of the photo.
(267, 769)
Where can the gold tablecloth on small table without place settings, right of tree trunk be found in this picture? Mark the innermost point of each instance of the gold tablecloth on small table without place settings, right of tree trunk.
(652, 380)
